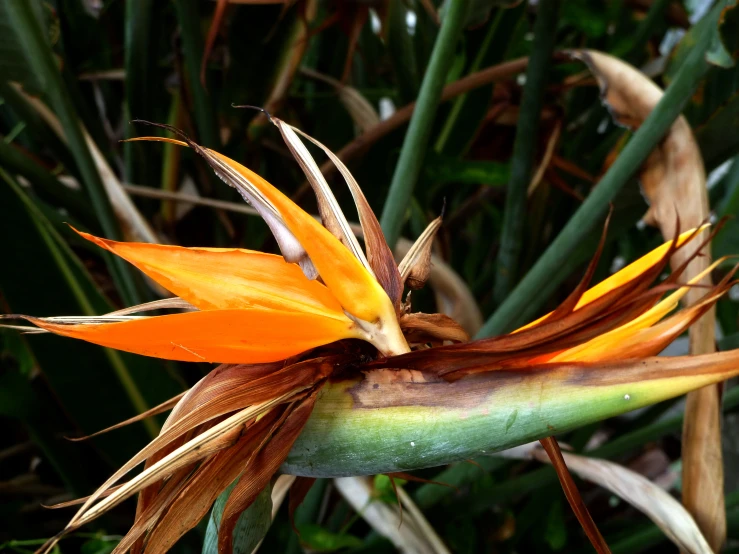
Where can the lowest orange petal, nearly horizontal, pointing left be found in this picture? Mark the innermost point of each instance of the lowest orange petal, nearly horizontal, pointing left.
(219, 336)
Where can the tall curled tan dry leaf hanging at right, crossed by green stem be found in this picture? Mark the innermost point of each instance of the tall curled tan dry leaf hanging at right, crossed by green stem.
(674, 182)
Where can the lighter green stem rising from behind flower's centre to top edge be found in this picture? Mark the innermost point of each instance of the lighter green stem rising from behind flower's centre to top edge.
(419, 130)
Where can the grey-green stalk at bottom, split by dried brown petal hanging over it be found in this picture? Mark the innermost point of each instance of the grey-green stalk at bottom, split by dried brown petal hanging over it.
(250, 528)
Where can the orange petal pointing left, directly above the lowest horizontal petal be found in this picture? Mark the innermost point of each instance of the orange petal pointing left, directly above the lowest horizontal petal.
(226, 278)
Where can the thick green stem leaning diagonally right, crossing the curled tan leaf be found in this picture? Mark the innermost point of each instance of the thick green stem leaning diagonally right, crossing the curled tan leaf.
(593, 209)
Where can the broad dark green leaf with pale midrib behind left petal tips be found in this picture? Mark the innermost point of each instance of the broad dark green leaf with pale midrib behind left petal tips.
(42, 276)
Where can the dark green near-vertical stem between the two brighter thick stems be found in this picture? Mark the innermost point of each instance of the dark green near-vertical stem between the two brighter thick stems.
(524, 147)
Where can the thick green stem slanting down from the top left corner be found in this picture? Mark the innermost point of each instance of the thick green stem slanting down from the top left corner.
(41, 60)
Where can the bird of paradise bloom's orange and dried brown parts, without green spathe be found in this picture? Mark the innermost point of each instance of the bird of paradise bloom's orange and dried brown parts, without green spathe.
(284, 326)
